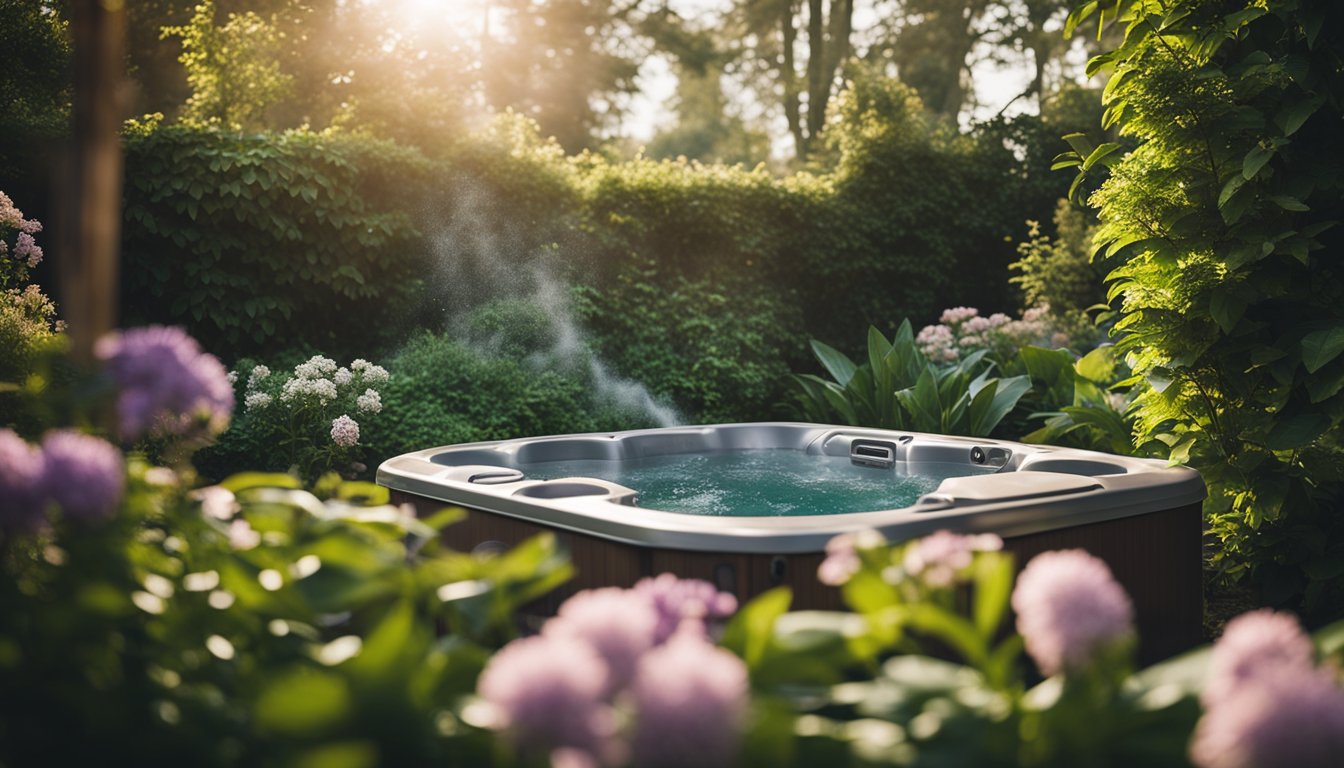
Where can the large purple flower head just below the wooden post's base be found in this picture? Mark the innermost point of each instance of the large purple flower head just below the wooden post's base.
(167, 383)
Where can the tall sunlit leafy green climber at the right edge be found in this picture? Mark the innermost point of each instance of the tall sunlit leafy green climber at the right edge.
(1222, 233)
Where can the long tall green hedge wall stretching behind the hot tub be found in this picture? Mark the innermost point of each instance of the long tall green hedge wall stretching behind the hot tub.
(702, 282)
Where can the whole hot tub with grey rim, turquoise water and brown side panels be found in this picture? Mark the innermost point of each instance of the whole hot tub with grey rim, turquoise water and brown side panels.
(752, 506)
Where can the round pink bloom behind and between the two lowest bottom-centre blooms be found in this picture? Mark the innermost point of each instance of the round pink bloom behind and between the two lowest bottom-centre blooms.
(618, 623)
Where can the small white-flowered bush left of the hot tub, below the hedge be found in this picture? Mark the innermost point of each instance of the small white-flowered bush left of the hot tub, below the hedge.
(312, 416)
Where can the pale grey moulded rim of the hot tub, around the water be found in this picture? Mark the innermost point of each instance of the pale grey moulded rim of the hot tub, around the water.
(1034, 493)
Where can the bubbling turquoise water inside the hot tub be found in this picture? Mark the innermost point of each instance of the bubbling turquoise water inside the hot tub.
(753, 484)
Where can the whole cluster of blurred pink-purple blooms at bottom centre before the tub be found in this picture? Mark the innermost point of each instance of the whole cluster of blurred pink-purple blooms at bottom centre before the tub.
(558, 695)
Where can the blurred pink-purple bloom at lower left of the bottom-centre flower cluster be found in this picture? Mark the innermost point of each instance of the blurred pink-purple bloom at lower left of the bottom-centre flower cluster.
(548, 693)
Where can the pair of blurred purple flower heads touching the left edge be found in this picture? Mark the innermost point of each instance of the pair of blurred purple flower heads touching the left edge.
(81, 475)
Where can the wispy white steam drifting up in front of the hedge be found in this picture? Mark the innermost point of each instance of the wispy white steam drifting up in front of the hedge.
(479, 259)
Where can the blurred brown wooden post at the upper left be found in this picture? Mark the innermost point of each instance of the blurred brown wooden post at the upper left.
(91, 202)
